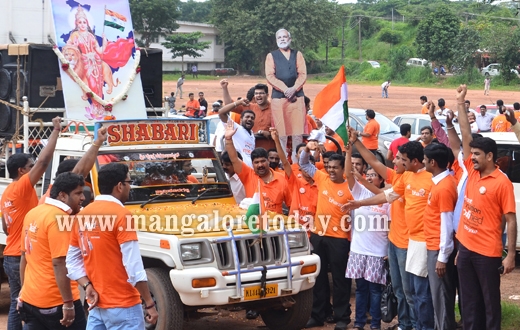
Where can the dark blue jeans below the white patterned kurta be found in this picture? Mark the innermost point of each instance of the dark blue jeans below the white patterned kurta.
(366, 290)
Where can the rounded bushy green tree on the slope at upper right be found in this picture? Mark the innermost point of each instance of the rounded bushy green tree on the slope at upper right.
(437, 35)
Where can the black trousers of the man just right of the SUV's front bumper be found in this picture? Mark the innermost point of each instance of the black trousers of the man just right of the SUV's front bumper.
(334, 252)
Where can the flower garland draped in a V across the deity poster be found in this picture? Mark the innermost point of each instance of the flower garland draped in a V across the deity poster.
(106, 104)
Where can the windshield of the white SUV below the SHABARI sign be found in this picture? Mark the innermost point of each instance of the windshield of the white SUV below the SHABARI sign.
(174, 174)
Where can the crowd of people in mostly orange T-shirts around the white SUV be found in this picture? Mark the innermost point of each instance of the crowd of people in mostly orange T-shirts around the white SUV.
(438, 216)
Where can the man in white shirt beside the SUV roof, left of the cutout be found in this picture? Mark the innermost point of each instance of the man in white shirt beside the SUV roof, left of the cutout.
(244, 139)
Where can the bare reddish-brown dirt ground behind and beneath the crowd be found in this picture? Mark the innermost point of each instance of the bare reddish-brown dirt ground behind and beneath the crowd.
(402, 100)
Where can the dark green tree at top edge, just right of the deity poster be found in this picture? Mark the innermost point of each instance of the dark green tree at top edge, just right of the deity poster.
(154, 18)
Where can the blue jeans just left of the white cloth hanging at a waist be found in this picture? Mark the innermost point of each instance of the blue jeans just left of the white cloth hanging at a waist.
(401, 286)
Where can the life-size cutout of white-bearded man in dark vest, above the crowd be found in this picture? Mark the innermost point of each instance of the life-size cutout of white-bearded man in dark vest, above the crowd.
(286, 72)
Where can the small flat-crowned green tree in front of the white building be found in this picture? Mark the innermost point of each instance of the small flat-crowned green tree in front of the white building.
(186, 44)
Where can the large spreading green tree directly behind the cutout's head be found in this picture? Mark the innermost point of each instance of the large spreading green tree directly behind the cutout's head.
(252, 24)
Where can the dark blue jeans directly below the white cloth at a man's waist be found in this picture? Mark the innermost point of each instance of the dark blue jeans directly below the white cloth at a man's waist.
(423, 306)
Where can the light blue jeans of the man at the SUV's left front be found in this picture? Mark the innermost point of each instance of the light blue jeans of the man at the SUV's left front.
(129, 318)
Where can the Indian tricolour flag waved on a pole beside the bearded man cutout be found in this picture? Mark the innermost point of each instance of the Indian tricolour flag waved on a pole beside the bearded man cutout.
(331, 105)
